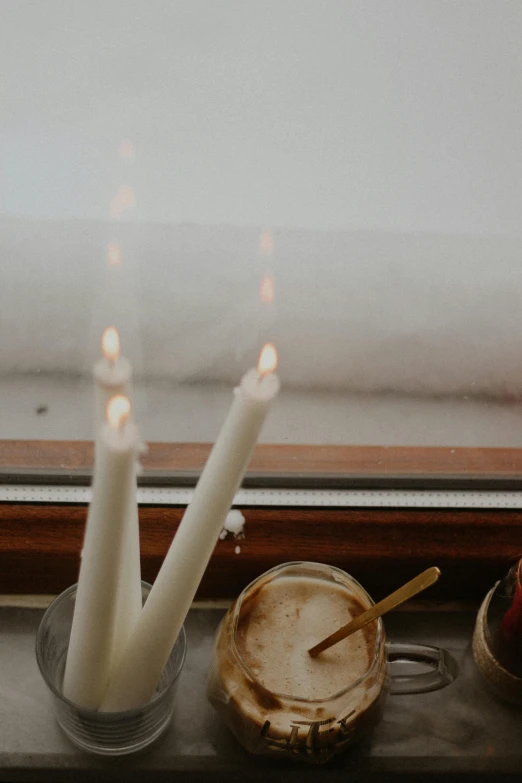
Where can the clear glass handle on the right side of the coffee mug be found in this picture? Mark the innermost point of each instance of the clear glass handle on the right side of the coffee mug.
(419, 668)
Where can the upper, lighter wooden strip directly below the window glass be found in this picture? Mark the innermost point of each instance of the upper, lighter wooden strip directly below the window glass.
(282, 460)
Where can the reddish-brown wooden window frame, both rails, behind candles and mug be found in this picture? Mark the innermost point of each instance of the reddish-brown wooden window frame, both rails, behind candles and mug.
(40, 542)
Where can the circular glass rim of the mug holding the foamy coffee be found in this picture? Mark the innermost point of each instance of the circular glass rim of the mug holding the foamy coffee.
(286, 696)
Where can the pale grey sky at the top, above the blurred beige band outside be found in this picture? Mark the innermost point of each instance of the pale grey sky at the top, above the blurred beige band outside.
(393, 114)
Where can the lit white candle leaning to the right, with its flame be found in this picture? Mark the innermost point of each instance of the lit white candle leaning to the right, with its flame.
(160, 622)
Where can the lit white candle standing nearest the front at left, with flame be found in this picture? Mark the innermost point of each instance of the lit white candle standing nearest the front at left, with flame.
(90, 652)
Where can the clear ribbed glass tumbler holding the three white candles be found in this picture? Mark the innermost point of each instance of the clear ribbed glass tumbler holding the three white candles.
(103, 733)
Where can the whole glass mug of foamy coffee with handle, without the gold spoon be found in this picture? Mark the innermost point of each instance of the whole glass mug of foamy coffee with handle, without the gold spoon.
(277, 700)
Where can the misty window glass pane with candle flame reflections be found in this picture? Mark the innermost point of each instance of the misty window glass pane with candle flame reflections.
(341, 178)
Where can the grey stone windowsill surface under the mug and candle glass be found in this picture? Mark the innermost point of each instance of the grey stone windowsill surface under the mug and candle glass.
(456, 733)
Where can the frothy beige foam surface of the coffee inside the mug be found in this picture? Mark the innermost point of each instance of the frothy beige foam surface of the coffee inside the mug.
(287, 616)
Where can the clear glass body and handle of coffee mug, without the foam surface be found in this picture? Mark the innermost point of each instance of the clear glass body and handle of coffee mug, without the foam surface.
(277, 724)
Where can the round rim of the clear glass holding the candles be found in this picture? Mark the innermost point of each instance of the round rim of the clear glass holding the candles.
(87, 710)
